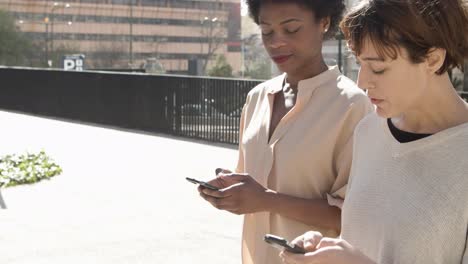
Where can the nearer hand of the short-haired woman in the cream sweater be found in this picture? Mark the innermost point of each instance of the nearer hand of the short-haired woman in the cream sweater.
(328, 251)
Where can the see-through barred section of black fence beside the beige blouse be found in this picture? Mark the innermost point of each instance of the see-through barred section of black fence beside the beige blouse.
(209, 108)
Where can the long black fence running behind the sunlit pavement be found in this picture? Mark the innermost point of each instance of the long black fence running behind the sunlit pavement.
(202, 108)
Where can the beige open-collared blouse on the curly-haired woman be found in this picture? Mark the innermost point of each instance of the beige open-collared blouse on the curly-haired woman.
(308, 155)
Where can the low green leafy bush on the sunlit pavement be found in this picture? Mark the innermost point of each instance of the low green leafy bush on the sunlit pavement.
(26, 169)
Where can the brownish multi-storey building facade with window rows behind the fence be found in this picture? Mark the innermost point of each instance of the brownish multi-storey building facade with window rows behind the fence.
(179, 36)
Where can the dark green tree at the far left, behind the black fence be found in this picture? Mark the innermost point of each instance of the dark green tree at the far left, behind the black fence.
(15, 48)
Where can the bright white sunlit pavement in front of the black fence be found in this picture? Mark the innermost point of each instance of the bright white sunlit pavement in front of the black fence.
(122, 198)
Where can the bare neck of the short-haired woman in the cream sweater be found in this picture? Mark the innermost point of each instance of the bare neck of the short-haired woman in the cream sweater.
(441, 108)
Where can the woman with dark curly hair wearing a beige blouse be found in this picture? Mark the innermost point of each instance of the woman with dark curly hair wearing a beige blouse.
(296, 131)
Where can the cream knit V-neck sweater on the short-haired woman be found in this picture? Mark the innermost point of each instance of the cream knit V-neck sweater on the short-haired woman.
(408, 203)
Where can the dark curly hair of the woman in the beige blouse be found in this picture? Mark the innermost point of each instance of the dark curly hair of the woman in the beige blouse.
(321, 8)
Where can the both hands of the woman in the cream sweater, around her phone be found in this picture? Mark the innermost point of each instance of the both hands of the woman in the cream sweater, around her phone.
(324, 250)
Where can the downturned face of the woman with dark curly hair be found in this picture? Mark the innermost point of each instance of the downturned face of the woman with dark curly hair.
(292, 37)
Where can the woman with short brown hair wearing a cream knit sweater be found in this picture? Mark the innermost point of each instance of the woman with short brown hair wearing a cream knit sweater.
(407, 198)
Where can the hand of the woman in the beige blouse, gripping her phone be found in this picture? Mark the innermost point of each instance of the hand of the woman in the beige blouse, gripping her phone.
(245, 196)
